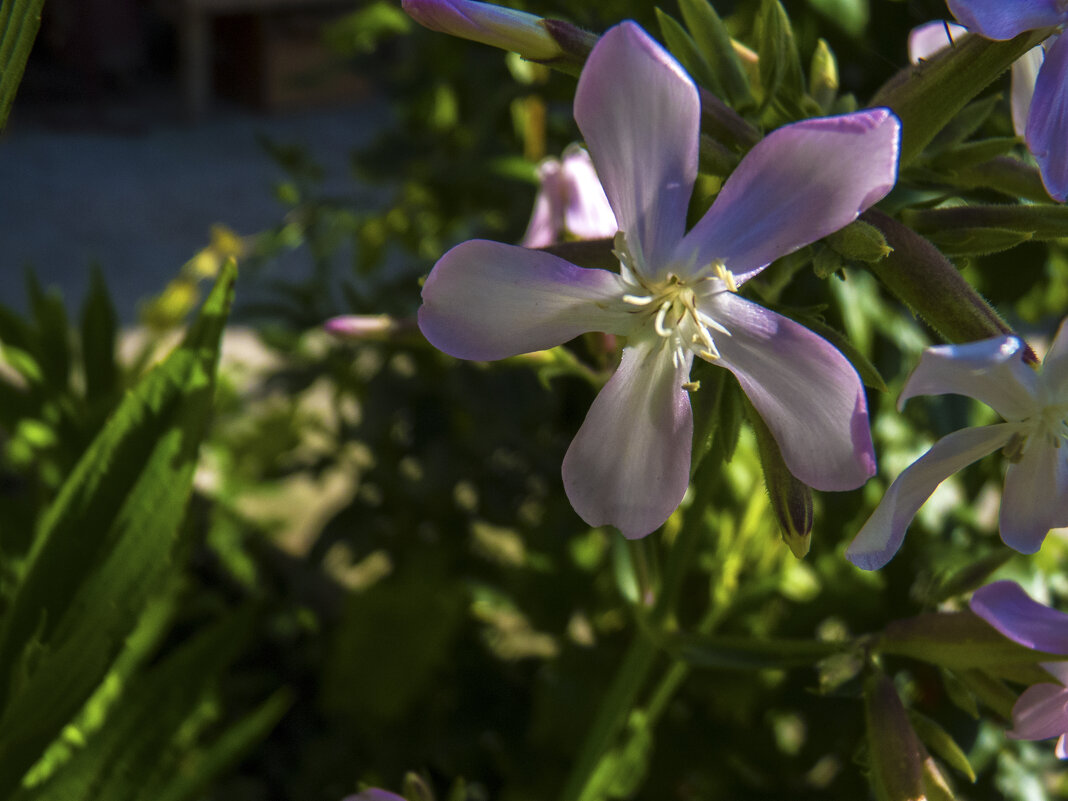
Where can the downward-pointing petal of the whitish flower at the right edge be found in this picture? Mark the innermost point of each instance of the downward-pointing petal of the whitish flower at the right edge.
(1035, 498)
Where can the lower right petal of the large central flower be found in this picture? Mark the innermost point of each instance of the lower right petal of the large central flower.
(807, 392)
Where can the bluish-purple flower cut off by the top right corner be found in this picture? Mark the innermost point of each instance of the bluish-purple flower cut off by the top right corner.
(1041, 83)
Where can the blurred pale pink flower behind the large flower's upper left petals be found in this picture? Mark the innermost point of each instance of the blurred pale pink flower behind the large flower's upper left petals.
(571, 202)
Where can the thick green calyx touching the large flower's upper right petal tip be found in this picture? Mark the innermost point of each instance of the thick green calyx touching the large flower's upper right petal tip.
(928, 97)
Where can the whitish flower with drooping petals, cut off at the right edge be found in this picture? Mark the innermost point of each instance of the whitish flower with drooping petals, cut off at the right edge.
(1035, 409)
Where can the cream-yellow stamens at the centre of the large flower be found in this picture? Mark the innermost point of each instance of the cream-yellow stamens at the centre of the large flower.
(672, 306)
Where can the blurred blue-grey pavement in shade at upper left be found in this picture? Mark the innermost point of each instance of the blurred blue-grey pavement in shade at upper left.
(134, 189)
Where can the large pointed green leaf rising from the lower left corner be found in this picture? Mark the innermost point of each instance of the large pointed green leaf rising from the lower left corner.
(106, 545)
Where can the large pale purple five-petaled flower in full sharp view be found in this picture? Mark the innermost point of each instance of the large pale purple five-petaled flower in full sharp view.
(676, 295)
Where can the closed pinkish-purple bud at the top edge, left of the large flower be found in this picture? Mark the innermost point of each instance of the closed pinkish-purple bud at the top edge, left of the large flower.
(491, 25)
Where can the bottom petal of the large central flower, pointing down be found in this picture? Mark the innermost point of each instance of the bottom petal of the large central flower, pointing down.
(630, 464)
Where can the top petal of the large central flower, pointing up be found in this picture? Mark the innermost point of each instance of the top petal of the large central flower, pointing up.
(639, 113)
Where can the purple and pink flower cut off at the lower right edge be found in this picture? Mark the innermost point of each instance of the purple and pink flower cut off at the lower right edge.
(1042, 711)
